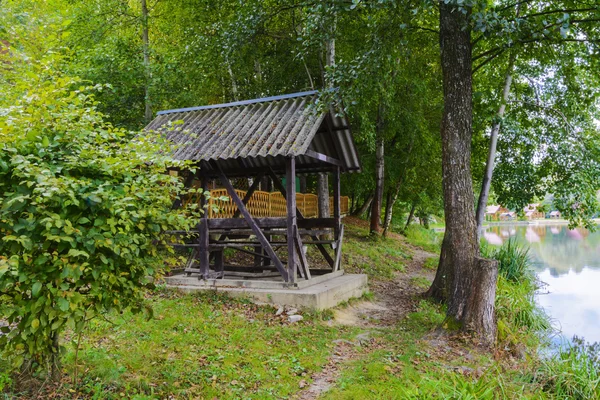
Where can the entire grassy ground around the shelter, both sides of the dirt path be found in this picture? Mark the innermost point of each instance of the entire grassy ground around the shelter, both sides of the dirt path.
(208, 346)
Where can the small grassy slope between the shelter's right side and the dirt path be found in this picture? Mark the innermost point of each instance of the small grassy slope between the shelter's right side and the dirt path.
(375, 256)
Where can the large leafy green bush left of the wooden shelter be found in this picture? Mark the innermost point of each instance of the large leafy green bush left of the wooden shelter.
(82, 209)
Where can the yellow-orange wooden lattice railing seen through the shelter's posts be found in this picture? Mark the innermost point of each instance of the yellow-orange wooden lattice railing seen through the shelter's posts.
(265, 204)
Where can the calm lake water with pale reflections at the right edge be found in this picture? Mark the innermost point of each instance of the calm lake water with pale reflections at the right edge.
(568, 261)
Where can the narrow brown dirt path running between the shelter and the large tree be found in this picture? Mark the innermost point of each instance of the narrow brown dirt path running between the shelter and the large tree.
(393, 300)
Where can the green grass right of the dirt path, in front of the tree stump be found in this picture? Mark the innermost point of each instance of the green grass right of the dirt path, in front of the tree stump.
(407, 367)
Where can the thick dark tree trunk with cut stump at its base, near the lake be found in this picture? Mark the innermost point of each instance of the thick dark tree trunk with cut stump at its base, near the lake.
(459, 259)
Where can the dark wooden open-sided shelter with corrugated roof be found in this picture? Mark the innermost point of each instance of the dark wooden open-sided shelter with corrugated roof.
(274, 137)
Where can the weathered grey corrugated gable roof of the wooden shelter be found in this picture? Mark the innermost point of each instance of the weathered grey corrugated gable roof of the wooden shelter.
(246, 136)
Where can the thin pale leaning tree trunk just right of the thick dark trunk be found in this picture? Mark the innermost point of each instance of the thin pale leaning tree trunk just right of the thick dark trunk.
(489, 166)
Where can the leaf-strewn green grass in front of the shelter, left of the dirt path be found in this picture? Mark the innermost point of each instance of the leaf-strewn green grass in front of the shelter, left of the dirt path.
(201, 346)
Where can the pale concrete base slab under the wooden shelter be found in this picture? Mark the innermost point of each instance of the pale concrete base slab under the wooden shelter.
(319, 296)
